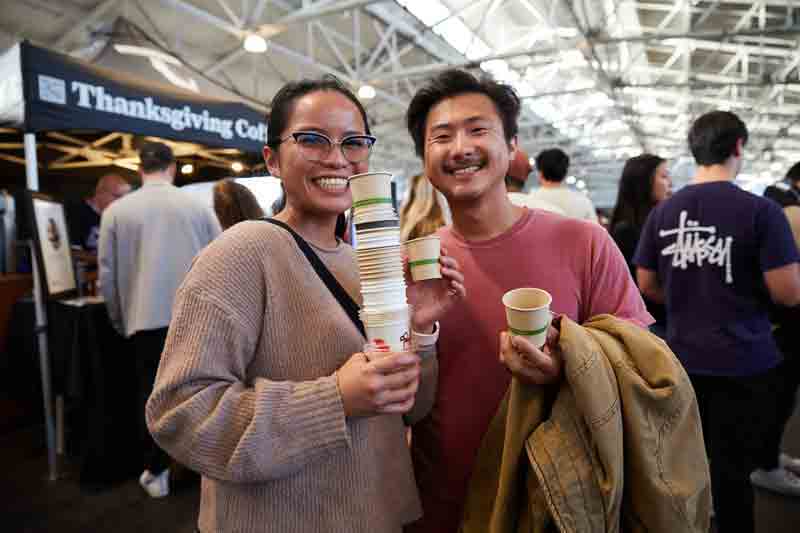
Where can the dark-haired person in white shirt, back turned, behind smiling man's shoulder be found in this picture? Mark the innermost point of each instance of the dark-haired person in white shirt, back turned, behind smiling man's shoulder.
(552, 166)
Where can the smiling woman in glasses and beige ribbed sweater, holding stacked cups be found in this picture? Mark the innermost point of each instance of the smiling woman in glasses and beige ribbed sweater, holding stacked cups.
(262, 386)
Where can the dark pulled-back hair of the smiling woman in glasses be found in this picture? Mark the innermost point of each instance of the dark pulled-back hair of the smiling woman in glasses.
(284, 100)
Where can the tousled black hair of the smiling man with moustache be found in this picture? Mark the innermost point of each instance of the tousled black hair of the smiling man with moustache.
(454, 83)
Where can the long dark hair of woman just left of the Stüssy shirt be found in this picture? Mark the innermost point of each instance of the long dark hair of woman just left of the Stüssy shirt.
(635, 195)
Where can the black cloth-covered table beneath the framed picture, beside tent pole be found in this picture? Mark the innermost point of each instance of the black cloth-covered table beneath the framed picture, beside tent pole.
(94, 369)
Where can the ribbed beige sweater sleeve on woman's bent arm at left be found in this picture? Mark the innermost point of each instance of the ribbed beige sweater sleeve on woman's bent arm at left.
(205, 414)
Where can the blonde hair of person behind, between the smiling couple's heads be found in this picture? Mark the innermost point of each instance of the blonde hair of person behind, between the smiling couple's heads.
(422, 213)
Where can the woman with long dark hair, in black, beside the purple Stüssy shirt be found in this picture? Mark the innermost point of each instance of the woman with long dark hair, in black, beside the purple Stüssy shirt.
(645, 182)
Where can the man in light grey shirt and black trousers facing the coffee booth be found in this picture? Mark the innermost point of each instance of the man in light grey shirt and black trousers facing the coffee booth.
(148, 240)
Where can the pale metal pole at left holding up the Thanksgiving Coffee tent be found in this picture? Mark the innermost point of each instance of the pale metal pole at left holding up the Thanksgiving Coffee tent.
(32, 176)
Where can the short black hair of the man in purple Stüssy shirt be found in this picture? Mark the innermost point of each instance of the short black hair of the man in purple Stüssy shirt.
(713, 137)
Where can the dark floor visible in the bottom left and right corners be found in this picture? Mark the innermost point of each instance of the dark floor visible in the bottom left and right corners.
(31, 504)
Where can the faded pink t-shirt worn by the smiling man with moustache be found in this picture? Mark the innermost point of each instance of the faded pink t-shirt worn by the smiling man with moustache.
(578, 263)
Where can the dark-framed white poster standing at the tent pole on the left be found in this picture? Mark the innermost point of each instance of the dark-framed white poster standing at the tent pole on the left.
(48, 225)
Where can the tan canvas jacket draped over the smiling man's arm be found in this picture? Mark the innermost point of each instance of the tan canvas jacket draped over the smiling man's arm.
(616, 447)
